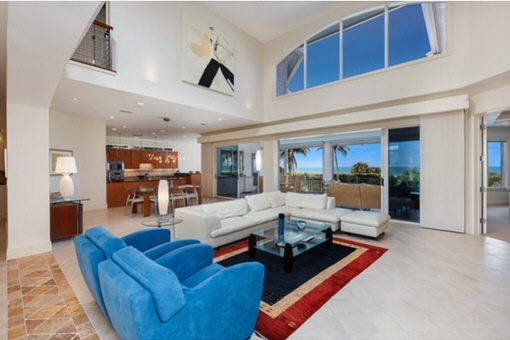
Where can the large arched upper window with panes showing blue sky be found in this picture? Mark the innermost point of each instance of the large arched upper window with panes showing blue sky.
(375, 39)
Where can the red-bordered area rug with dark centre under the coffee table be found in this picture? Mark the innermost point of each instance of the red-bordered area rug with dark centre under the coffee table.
(289, 299)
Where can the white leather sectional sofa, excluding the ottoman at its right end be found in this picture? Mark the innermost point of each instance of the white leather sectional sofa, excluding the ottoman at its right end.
(221, 223)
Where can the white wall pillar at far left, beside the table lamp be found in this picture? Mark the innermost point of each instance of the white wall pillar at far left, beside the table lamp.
(28, 190)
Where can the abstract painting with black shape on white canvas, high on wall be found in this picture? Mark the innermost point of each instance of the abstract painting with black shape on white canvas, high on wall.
(207, 55)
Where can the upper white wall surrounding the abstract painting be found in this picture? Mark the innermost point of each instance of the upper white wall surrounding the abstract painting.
(147, 58)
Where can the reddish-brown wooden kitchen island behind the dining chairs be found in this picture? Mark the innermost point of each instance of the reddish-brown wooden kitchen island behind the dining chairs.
(116, 191)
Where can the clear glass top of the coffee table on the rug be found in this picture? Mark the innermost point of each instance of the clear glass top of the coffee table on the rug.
(293, 233)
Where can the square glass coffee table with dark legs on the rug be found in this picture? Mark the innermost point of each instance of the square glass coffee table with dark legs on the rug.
(293, 242)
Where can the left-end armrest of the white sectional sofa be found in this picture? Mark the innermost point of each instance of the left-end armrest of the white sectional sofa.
(195, 225)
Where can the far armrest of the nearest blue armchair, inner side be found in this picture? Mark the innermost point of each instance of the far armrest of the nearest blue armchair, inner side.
(187, 260)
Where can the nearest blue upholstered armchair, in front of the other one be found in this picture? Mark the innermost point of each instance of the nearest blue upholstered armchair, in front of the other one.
(182, 295)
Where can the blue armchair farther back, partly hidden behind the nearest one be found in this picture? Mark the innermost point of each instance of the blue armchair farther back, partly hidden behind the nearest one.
(98, 245)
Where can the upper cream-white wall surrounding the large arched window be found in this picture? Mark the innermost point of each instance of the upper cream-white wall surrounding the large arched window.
(468, 60)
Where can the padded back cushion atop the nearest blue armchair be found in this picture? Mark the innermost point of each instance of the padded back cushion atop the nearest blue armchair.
(161, 282)
